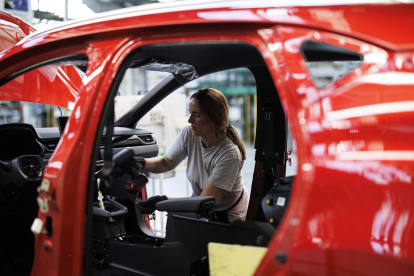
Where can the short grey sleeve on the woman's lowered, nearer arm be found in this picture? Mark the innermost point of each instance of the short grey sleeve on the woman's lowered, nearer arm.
(225, 170)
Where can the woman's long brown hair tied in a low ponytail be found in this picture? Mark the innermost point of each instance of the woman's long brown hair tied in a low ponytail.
(214, 105)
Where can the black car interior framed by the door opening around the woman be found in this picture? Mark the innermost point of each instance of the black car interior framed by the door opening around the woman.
(127, 245)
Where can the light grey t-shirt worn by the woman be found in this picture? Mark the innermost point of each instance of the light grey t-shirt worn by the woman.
(220, 166)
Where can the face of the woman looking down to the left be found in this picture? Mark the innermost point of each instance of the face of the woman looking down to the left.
(199, 124)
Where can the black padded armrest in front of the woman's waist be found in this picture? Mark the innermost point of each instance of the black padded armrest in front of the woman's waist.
(187, 204)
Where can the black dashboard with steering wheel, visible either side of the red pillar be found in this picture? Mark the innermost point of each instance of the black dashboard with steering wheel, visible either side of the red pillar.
(25, 152)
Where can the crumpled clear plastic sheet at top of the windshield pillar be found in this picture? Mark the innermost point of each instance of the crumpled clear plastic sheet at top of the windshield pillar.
(185, 70)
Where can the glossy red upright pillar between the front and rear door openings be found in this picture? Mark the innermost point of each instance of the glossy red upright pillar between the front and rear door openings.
(67, 205)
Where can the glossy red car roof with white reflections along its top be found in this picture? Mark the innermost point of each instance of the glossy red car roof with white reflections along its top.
(361, 19)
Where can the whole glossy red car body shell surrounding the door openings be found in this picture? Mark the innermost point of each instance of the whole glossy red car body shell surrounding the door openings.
(352, 209)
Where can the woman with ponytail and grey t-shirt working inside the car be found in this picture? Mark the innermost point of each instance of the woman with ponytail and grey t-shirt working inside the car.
(215, 156)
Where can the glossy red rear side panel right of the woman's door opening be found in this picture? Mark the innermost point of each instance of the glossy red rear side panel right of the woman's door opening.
(356, 159)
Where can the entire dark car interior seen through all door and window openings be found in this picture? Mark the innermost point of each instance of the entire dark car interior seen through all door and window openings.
(119, 239)
